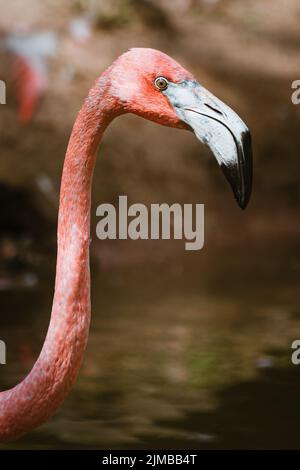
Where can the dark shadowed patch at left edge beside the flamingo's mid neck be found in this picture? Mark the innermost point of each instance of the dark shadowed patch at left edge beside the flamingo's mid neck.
(26, 238)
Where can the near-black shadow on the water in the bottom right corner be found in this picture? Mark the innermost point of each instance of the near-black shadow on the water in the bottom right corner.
(259, 414)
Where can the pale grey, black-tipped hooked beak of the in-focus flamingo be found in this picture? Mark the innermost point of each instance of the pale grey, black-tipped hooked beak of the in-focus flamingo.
(219, 127)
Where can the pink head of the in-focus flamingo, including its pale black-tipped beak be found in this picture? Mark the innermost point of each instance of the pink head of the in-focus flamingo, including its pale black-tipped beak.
(150, 84)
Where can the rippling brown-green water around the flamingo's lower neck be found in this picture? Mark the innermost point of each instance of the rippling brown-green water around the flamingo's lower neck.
(192, 353)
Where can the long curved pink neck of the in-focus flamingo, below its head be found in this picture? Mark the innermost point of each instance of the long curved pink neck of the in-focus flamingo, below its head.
(36, 398)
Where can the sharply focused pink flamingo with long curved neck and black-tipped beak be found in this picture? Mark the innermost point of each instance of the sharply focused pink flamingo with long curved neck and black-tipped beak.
(150, 84)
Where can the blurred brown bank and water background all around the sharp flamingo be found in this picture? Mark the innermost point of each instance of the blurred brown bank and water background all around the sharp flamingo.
(187, 350)
